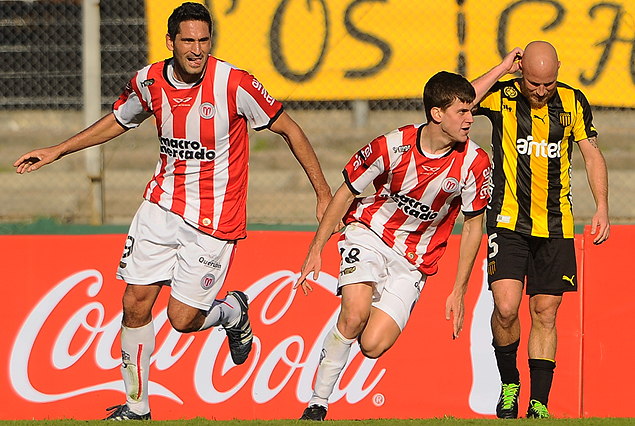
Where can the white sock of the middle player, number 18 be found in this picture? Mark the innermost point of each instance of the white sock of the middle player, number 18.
(335, 352)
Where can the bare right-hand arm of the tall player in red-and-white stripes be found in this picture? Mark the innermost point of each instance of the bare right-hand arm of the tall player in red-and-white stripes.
(303, 151)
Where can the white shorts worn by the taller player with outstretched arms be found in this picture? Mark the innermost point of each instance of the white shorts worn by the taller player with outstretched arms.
(162, 247)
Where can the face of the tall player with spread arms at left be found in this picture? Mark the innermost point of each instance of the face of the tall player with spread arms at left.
(190, 48)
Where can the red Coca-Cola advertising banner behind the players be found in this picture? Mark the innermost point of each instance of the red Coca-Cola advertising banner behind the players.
(60, 340)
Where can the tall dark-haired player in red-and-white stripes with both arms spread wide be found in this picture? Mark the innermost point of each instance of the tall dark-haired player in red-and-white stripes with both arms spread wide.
(185, 232)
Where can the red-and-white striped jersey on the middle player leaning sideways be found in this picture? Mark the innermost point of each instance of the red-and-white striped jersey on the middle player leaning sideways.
(418, 195)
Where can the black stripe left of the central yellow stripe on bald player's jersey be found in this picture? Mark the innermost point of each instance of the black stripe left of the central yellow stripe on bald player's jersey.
(524, 128)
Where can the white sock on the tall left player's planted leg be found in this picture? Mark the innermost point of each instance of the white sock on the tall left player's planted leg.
(137, 345)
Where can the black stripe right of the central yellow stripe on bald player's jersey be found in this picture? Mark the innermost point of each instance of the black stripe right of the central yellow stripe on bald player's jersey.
(556, 133)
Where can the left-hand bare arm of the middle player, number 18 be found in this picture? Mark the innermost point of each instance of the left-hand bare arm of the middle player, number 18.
(332, 217)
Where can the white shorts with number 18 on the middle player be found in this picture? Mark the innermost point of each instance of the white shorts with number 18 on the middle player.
(396, 282)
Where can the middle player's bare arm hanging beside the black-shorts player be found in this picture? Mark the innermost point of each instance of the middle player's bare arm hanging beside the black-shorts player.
(471, 236)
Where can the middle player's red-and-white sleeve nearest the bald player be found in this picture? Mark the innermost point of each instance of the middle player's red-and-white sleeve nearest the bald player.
(475, 193)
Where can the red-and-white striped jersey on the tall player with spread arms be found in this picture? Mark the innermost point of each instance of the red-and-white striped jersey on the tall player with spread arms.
(202, 171)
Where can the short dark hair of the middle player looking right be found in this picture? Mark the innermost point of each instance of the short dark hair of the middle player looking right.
(443, 89)
